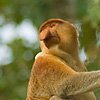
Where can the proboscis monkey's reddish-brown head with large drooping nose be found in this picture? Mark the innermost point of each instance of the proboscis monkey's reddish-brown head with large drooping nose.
(58, 32)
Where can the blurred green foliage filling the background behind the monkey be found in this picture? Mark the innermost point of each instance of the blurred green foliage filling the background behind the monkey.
(85, 14)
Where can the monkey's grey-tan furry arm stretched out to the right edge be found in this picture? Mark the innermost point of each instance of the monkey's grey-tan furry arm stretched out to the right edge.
(82, 82)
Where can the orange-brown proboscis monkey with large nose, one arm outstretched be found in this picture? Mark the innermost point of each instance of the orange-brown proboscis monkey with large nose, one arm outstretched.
(58, 73)
